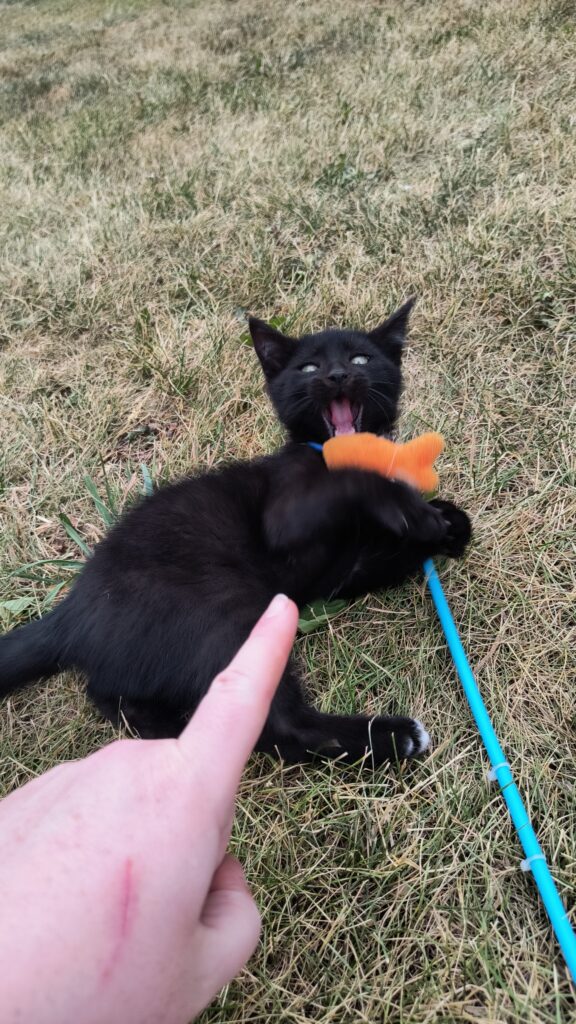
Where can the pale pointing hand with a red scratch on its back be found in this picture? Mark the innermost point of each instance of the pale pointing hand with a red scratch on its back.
(119, 903)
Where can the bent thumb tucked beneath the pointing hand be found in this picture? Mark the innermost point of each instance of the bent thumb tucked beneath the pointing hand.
(232, 924)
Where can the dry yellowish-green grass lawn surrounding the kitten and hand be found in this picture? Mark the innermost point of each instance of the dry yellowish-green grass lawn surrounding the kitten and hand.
(166, 166)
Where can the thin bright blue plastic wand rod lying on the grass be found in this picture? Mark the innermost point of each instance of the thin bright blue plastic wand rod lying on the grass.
(536, 860)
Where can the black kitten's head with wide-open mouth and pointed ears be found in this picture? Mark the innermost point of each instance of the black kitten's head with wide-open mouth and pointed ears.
(337, 381)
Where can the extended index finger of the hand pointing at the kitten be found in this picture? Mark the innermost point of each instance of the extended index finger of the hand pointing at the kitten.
(230, 719)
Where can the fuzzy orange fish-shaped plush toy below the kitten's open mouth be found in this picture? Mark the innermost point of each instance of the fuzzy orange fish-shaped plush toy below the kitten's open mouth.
(413, 462)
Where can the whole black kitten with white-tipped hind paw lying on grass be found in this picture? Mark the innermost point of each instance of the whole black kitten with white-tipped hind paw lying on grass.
(172, 593)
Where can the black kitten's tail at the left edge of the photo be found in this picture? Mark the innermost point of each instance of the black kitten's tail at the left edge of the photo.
(33, 652)
